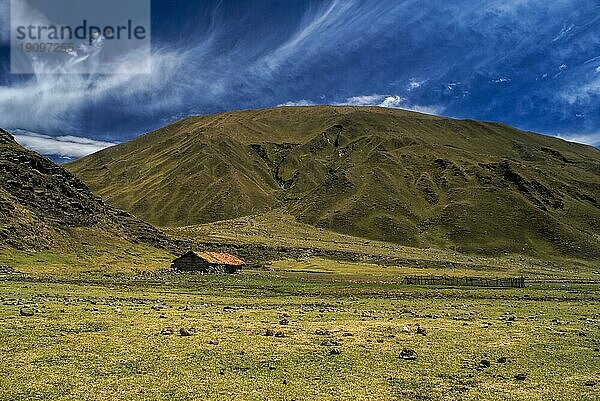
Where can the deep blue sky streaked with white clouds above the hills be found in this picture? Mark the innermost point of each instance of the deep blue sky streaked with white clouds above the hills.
(531, 64)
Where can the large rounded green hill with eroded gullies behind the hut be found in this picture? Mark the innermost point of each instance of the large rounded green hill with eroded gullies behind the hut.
(383, 174)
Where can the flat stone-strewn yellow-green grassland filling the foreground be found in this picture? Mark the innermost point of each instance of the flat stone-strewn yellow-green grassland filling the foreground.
(96, 337)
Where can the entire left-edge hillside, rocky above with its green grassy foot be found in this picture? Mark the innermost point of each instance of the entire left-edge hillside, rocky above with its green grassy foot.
(51, 219)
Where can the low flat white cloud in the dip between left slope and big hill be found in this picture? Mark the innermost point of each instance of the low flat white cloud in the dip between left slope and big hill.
(67, 146)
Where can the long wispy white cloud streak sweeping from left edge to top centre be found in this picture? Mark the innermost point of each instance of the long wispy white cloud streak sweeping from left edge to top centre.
(202, 72)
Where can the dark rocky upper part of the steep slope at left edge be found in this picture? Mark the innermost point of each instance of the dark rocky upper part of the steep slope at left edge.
(40, 203)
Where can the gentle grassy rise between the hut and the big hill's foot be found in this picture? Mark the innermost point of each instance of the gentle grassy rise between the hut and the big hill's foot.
(278, 229)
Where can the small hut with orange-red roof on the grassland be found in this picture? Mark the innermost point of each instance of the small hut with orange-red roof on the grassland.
(208, 263)
